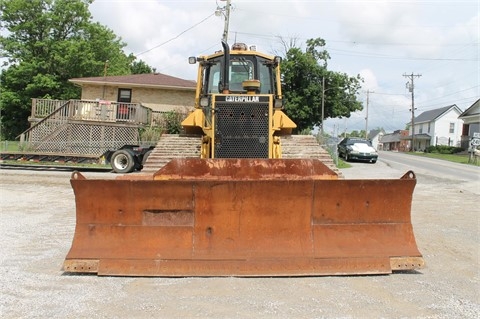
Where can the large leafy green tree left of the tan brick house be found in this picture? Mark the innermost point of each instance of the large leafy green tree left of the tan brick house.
(47, 43)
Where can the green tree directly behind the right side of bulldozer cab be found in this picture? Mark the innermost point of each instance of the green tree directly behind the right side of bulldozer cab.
(303, 74)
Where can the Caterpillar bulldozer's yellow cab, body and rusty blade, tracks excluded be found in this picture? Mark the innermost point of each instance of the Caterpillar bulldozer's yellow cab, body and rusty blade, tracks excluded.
(240, 209)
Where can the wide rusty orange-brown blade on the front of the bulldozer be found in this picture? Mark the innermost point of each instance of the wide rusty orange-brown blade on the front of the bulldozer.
(242, 217)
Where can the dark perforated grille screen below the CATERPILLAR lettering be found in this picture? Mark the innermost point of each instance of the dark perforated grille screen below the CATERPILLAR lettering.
(241, 130)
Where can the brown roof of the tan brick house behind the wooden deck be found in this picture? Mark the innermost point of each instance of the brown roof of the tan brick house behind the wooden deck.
(152, 80)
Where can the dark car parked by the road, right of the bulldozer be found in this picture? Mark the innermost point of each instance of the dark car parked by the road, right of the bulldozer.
(351, 148)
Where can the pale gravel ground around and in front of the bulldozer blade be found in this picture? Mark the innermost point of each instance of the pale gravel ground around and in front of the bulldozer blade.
(36, 228)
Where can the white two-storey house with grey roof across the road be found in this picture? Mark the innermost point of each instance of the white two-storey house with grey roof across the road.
(437, 127)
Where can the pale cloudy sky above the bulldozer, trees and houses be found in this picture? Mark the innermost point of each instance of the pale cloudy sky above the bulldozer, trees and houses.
(436, 41)
